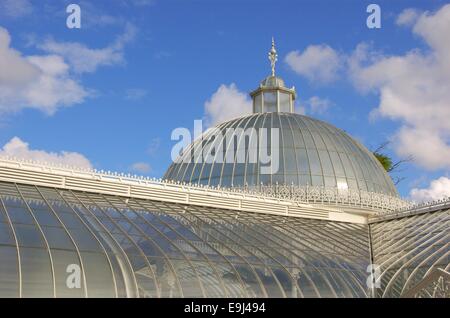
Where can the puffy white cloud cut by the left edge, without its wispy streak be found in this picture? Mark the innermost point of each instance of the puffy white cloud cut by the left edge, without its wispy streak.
(40, 82)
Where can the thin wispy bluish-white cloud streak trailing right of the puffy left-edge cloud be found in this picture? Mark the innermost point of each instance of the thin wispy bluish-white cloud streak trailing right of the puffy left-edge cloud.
(86, 60)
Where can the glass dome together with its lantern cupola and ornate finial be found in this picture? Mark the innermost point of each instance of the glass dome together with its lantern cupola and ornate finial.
(275, 146)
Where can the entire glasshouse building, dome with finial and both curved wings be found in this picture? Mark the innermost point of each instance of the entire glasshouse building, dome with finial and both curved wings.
(325, 223)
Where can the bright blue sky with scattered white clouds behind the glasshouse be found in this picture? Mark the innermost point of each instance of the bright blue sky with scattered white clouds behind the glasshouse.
(108, 95)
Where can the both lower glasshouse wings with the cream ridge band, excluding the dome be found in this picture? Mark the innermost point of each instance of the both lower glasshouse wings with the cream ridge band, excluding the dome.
(134, 237)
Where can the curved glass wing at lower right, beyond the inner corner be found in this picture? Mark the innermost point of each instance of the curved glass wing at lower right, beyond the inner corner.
(408, 250)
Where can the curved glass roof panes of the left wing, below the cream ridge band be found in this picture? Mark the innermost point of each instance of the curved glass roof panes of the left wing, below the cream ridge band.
(128, 247)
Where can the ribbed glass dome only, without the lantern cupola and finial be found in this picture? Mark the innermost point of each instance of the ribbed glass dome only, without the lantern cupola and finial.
(311, 152)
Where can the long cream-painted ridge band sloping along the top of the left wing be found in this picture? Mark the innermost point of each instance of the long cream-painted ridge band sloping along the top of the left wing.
(145, 188)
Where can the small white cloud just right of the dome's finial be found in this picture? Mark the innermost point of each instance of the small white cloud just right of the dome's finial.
(318, 63)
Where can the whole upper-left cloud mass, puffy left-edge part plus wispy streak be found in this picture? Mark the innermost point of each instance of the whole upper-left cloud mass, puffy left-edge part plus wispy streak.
(47, 82)
